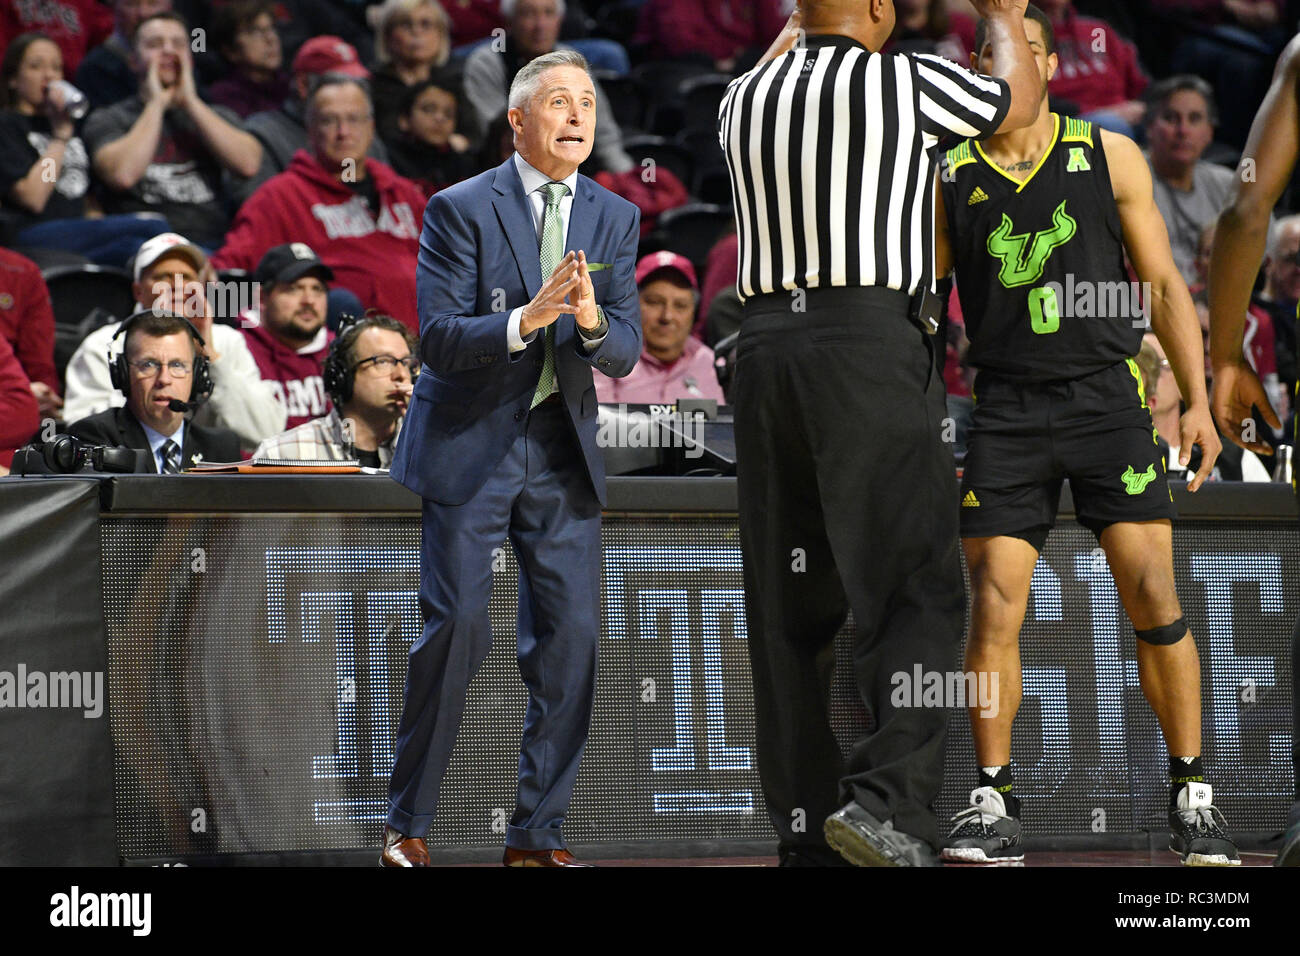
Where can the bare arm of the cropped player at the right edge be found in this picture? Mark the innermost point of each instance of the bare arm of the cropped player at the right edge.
(1240, 241)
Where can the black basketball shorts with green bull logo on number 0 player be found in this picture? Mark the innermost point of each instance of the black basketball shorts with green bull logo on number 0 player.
(1028, 438)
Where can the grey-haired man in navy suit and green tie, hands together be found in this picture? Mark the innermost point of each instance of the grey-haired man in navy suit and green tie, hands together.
(526, 284)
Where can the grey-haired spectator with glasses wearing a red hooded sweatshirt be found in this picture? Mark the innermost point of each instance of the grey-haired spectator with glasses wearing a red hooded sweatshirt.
(361, 218)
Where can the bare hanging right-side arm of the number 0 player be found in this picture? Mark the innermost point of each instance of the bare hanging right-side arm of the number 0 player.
(1173, 317)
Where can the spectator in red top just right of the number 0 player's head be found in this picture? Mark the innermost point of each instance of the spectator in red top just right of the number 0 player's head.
(1099, 73)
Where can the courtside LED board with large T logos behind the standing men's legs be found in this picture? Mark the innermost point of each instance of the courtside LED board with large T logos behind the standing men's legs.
(257, 667)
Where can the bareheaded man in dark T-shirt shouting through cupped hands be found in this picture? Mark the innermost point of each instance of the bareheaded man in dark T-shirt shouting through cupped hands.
(164, 149)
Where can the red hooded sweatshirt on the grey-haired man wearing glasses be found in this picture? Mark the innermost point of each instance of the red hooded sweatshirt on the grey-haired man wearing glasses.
(372, 256)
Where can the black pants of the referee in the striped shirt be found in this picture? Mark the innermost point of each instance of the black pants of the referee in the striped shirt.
(848, 499)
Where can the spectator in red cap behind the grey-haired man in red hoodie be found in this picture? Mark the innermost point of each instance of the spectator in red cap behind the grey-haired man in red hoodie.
(283, 132)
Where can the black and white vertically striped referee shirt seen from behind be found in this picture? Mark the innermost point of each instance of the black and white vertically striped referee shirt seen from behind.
(831, 154)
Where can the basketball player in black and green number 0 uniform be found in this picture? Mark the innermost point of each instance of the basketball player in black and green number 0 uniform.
(1033, 220)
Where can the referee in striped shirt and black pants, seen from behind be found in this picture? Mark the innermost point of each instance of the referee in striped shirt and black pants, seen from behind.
(848, 498)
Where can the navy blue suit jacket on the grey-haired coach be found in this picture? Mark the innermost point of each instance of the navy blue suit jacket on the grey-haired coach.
(479, 261)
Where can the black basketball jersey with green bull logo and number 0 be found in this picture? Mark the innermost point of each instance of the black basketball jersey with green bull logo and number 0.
(1041, 265)
